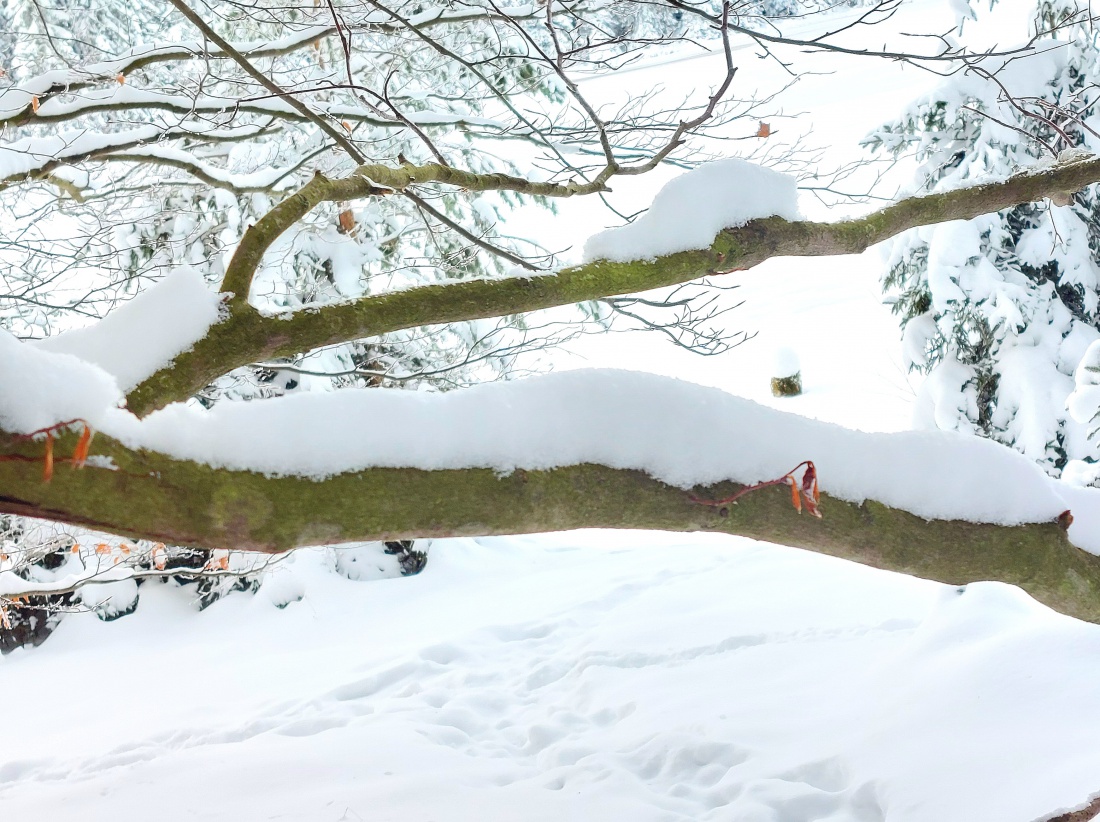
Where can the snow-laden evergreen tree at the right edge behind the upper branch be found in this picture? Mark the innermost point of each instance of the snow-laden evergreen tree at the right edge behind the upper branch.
(1000, 311)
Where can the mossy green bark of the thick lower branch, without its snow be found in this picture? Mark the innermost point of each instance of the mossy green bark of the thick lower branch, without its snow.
(153, 497)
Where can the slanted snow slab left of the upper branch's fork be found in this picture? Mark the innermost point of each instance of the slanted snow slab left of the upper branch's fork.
(148, 333)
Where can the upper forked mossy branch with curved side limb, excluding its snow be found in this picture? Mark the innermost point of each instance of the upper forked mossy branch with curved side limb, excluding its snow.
(248, 336)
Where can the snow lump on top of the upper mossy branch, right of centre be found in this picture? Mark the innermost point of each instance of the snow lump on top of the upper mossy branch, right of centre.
(691, 210)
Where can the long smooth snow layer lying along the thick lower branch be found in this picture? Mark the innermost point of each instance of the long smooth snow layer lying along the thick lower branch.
(677, 432)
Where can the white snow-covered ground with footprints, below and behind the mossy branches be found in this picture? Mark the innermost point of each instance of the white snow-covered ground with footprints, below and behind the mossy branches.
(589, 676)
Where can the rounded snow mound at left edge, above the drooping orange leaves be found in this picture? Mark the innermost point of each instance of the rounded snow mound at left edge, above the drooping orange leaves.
(42, 389)
